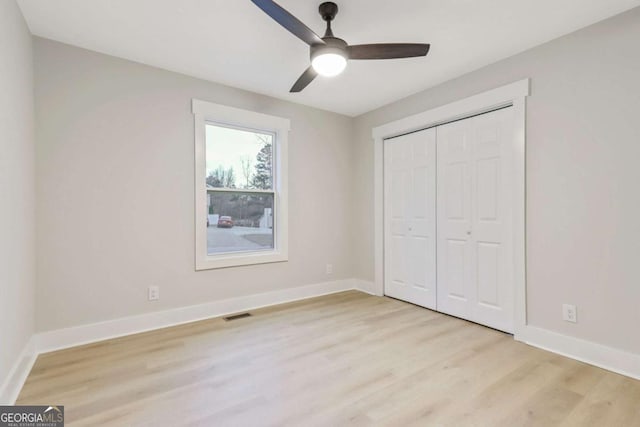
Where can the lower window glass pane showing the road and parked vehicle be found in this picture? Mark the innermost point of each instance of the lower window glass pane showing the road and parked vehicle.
(239, 222)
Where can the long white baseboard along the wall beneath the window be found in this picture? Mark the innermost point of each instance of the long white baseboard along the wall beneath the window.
(85, 334)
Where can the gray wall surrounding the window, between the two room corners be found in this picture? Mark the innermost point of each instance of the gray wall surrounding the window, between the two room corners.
(115, 190)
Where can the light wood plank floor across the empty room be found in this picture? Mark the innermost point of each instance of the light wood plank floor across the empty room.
(343, 359)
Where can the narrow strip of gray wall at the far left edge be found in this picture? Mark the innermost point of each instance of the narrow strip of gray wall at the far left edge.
(17, 188)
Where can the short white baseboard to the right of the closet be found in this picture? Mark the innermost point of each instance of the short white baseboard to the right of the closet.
(609, 358)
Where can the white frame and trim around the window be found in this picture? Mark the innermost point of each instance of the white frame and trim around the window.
(207, 112)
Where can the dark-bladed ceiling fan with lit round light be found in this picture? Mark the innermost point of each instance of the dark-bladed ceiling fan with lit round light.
(329, 54)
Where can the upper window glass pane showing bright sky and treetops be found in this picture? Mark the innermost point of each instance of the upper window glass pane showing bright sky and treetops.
(238, 158)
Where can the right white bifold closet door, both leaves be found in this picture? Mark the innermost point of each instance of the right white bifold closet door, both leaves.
(475, 229)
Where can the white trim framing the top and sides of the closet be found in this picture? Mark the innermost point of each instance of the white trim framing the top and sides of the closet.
(512, 94)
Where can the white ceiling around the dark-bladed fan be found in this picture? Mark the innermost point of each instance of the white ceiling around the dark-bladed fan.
(235, 43)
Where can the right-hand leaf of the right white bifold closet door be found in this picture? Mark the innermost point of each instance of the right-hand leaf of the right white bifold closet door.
(493, 219)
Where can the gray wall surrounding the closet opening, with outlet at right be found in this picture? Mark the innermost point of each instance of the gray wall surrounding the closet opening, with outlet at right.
(583, 203)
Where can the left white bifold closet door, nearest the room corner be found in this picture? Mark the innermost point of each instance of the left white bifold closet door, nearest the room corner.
(410, 217)
